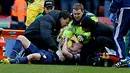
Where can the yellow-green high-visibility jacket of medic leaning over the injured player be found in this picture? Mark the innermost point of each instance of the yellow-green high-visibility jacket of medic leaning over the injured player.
(71, 30)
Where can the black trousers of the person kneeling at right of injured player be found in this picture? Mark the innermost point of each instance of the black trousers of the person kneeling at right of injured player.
(98, 45)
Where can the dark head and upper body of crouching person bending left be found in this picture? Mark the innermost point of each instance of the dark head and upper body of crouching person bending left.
(97, 28)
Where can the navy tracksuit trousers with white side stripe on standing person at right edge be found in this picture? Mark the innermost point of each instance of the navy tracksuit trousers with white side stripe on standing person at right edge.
(120, 30)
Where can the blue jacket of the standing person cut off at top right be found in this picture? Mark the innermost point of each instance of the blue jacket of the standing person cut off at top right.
(117, 4)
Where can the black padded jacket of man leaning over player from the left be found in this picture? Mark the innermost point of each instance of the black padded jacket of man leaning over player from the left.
(43, 30)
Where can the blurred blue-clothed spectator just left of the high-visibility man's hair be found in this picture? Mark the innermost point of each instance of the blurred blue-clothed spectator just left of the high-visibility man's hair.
(67, 4)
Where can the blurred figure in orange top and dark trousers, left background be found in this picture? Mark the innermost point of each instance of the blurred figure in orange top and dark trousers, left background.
(18, 14)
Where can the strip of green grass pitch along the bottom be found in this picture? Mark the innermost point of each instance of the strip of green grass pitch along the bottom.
(31, 68)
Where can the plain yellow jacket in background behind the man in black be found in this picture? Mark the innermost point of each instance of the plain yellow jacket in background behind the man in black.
(33, 10)
